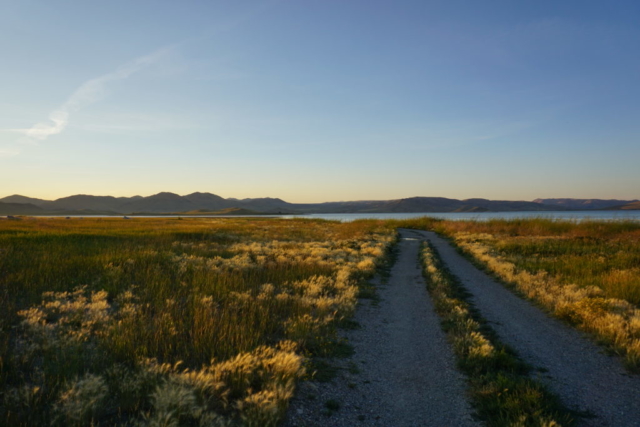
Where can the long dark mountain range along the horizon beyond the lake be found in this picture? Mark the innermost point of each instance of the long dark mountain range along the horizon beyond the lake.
(203, 203)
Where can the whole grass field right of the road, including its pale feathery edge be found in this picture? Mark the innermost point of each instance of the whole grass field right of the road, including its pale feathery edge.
(587, 273)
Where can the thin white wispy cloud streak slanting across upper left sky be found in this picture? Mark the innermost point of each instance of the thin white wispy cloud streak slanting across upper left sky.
(88, 93)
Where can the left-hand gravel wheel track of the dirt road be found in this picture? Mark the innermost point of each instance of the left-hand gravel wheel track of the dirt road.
(403, 371)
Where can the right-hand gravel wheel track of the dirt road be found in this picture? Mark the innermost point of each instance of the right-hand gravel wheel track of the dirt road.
(572, 366)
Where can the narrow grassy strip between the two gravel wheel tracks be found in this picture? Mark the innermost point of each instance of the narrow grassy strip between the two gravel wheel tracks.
(501, 391)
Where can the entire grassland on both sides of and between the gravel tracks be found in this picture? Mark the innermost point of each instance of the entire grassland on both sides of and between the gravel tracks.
(163, 322)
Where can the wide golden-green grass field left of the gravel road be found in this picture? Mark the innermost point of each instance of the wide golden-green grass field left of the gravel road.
(163, 322)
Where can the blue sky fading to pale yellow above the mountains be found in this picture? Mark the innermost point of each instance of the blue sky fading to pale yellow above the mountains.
(314, 101)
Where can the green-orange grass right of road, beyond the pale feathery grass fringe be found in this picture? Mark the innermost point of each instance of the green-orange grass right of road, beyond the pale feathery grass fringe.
(605, 254)
